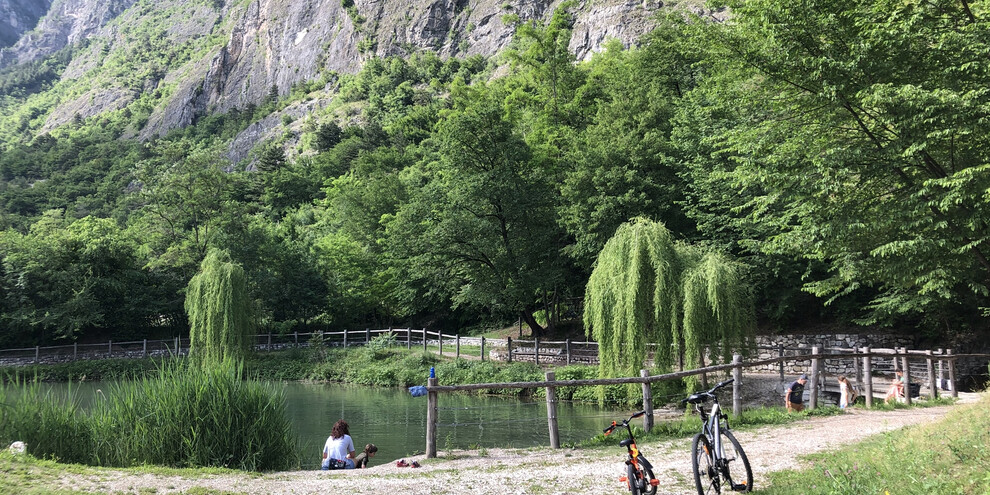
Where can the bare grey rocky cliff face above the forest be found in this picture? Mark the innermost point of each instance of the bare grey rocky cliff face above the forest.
(188, 57)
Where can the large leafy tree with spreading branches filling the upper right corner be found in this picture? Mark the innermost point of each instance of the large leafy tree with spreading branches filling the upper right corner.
(860, 129)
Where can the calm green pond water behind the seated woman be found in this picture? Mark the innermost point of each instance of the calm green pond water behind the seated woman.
(396, 422)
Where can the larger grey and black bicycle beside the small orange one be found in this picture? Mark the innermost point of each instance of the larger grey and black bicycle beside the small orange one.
(711, 462)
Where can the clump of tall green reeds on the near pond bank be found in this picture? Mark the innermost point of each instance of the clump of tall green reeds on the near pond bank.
(183, 417)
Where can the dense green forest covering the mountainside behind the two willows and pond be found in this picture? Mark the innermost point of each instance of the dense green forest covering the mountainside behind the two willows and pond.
(839, 150)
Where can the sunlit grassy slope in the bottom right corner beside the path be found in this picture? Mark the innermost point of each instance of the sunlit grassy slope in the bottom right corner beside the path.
(949, 456)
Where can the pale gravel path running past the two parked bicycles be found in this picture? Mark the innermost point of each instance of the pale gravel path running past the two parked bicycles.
(541, 470)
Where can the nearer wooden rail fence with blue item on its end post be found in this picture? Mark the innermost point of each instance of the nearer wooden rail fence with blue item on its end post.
(817, 376)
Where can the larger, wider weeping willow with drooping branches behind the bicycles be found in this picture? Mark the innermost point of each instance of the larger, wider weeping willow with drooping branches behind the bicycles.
(647, 288)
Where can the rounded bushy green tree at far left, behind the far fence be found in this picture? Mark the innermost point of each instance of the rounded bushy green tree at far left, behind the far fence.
(66, 279)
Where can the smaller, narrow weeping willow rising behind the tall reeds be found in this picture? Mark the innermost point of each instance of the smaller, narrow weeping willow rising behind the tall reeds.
(219, 310)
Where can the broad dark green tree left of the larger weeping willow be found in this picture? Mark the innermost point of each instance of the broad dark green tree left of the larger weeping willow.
(480, 223)
